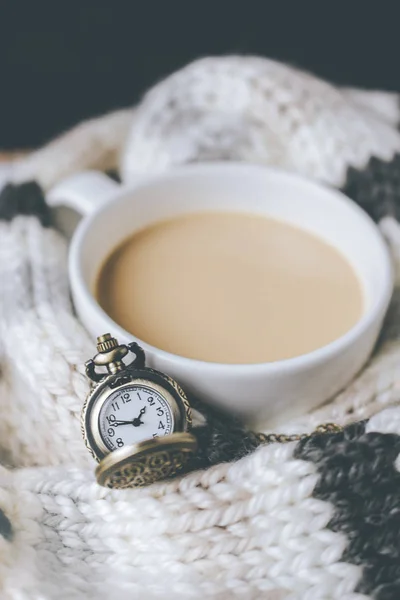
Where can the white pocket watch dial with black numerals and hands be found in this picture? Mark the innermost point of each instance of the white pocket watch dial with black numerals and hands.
(133, 414)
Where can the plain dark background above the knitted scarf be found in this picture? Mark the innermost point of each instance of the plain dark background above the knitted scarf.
(61, 62)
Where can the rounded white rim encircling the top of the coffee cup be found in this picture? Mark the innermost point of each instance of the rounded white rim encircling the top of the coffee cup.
(295, 363)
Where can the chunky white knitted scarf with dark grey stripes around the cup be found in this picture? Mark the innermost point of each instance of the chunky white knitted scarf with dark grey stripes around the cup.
(310, 520)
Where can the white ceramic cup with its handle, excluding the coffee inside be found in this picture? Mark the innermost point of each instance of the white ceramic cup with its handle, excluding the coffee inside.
(263, 394)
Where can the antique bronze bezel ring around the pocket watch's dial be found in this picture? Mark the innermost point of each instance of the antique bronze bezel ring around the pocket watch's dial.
(165, 386)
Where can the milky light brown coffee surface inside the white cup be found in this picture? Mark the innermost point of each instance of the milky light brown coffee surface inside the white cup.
(230, 288)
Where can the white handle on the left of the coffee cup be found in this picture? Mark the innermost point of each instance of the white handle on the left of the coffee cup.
(83, 192)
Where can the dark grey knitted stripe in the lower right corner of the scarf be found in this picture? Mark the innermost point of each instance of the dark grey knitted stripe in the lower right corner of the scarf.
(358, 476)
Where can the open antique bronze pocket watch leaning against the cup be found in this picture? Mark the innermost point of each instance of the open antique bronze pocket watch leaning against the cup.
(135, 421)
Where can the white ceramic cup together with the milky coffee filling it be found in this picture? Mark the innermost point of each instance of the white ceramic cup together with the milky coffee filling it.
(314, 280)
